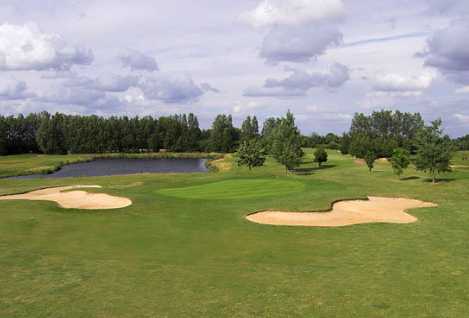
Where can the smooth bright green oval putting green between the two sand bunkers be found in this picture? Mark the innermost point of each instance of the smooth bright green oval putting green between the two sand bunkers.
(237, 189)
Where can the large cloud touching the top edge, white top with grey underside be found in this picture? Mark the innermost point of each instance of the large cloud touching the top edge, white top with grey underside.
(299, 30)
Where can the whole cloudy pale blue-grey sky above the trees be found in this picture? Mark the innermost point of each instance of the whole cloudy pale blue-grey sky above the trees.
(324, 60)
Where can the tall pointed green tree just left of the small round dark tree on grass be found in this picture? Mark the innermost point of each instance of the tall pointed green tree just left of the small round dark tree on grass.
(286, 147)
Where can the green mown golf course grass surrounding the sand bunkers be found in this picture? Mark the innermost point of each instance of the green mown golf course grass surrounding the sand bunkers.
(184, 248)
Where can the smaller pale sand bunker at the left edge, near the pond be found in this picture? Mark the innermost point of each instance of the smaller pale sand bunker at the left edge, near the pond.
(73, 199)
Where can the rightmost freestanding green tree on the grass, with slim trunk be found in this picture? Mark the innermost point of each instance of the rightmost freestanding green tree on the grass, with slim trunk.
(434, 150)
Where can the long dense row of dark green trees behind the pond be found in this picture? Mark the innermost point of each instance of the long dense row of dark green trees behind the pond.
(60, 133)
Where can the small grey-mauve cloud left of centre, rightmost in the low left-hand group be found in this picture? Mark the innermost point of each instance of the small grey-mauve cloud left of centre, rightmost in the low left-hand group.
(171, 89)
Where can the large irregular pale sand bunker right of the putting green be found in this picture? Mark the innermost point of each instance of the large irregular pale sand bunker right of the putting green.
(343, 213)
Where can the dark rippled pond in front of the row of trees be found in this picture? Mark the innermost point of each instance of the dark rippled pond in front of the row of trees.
(111, 167)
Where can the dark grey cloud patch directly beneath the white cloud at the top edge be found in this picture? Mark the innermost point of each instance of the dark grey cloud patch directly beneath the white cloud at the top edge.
(299, 44)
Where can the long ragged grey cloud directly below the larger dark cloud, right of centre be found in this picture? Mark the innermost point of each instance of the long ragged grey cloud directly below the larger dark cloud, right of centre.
(299, 82)
